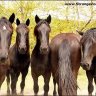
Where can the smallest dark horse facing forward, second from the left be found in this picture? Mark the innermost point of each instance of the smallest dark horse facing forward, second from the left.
(19, 57)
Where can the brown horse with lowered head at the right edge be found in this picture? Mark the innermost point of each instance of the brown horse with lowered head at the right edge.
(88, 58)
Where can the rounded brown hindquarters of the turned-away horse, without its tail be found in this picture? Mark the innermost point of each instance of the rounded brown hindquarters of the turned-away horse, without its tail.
(74, 41)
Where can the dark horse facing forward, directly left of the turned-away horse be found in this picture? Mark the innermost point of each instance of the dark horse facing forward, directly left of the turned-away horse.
(40, 55)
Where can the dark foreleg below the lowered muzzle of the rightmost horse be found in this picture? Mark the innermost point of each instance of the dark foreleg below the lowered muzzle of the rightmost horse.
(90, 82)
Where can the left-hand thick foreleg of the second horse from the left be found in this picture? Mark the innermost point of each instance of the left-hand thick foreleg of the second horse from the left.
(14, 78)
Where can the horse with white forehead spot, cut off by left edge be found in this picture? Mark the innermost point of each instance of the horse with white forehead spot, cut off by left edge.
(6, 31)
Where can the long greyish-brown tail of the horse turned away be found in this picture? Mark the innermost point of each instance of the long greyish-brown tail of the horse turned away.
(67, 81)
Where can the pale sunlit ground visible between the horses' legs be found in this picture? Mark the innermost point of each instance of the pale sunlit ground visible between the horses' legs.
(82, 83)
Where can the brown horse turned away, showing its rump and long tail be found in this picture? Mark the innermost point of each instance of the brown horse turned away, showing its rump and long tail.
(65, 60)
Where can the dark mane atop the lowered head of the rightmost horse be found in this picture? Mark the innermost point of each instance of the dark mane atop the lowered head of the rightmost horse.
(89, 35)
